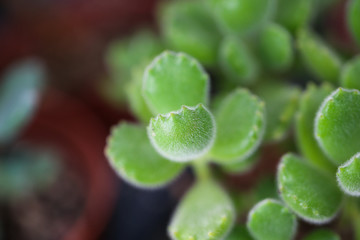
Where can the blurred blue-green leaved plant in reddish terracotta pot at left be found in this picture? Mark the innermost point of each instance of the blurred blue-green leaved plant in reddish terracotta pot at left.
(56, 148)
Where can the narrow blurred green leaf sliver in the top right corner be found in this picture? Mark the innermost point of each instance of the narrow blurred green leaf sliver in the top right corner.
(353, 19)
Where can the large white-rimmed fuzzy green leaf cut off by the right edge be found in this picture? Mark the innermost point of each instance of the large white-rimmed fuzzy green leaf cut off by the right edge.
(337, 126)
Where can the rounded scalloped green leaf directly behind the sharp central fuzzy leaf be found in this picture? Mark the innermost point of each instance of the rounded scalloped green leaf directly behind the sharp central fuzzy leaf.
(173, 80)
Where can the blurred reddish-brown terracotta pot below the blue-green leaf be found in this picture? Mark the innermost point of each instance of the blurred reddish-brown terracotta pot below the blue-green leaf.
(66, 124)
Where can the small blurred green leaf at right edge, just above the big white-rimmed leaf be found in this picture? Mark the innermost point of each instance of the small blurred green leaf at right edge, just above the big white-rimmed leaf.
(350, 74)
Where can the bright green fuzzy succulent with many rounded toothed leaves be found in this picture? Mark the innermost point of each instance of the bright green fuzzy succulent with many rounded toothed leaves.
(223, 122)
